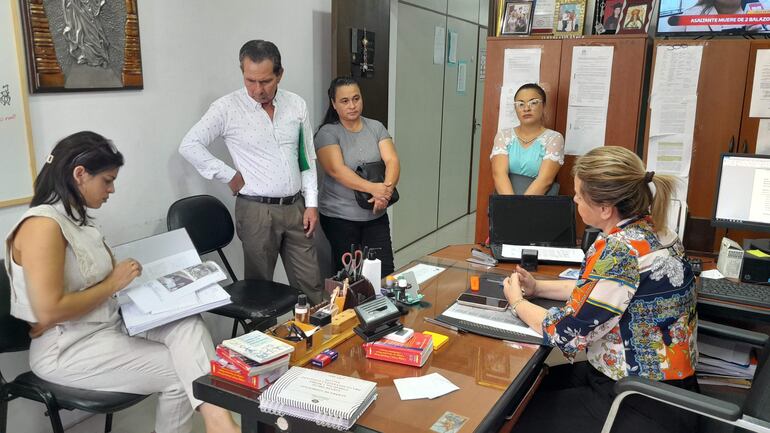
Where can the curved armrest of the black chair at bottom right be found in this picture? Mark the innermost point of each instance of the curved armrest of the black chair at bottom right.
(683, 398)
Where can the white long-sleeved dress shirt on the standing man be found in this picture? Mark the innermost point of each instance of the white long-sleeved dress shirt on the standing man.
(265, 152)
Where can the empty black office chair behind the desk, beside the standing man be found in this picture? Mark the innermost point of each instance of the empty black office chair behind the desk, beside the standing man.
(256, 303)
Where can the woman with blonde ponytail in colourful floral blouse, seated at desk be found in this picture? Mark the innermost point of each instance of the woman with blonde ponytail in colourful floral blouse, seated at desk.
(632, 310)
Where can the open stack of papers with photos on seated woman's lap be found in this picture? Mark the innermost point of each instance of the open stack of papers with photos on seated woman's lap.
(174, 283)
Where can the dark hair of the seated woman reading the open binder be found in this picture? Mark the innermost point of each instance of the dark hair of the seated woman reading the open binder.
(55, 182)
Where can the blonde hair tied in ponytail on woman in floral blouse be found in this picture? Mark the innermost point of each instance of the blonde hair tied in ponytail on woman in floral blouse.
(615, 176)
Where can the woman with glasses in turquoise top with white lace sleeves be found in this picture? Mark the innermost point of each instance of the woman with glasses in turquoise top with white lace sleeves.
(528, 156)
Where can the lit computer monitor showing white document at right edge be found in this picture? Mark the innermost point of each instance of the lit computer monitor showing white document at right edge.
(743, 192)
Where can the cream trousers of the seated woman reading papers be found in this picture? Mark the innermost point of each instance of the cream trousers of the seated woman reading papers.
(103, 357)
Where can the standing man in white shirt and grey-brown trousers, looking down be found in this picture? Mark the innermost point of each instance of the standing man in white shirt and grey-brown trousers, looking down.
(276, 208)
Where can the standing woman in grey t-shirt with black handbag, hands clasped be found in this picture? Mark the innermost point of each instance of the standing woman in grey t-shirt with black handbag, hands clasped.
(344, 141)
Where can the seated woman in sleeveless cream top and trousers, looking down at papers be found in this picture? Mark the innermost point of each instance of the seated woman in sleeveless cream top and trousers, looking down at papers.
(63, 280)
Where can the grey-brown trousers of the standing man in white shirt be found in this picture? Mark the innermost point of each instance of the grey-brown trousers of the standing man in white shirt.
(267, 230)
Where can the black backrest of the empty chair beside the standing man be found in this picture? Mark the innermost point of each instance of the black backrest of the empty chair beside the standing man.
(206, 219)
